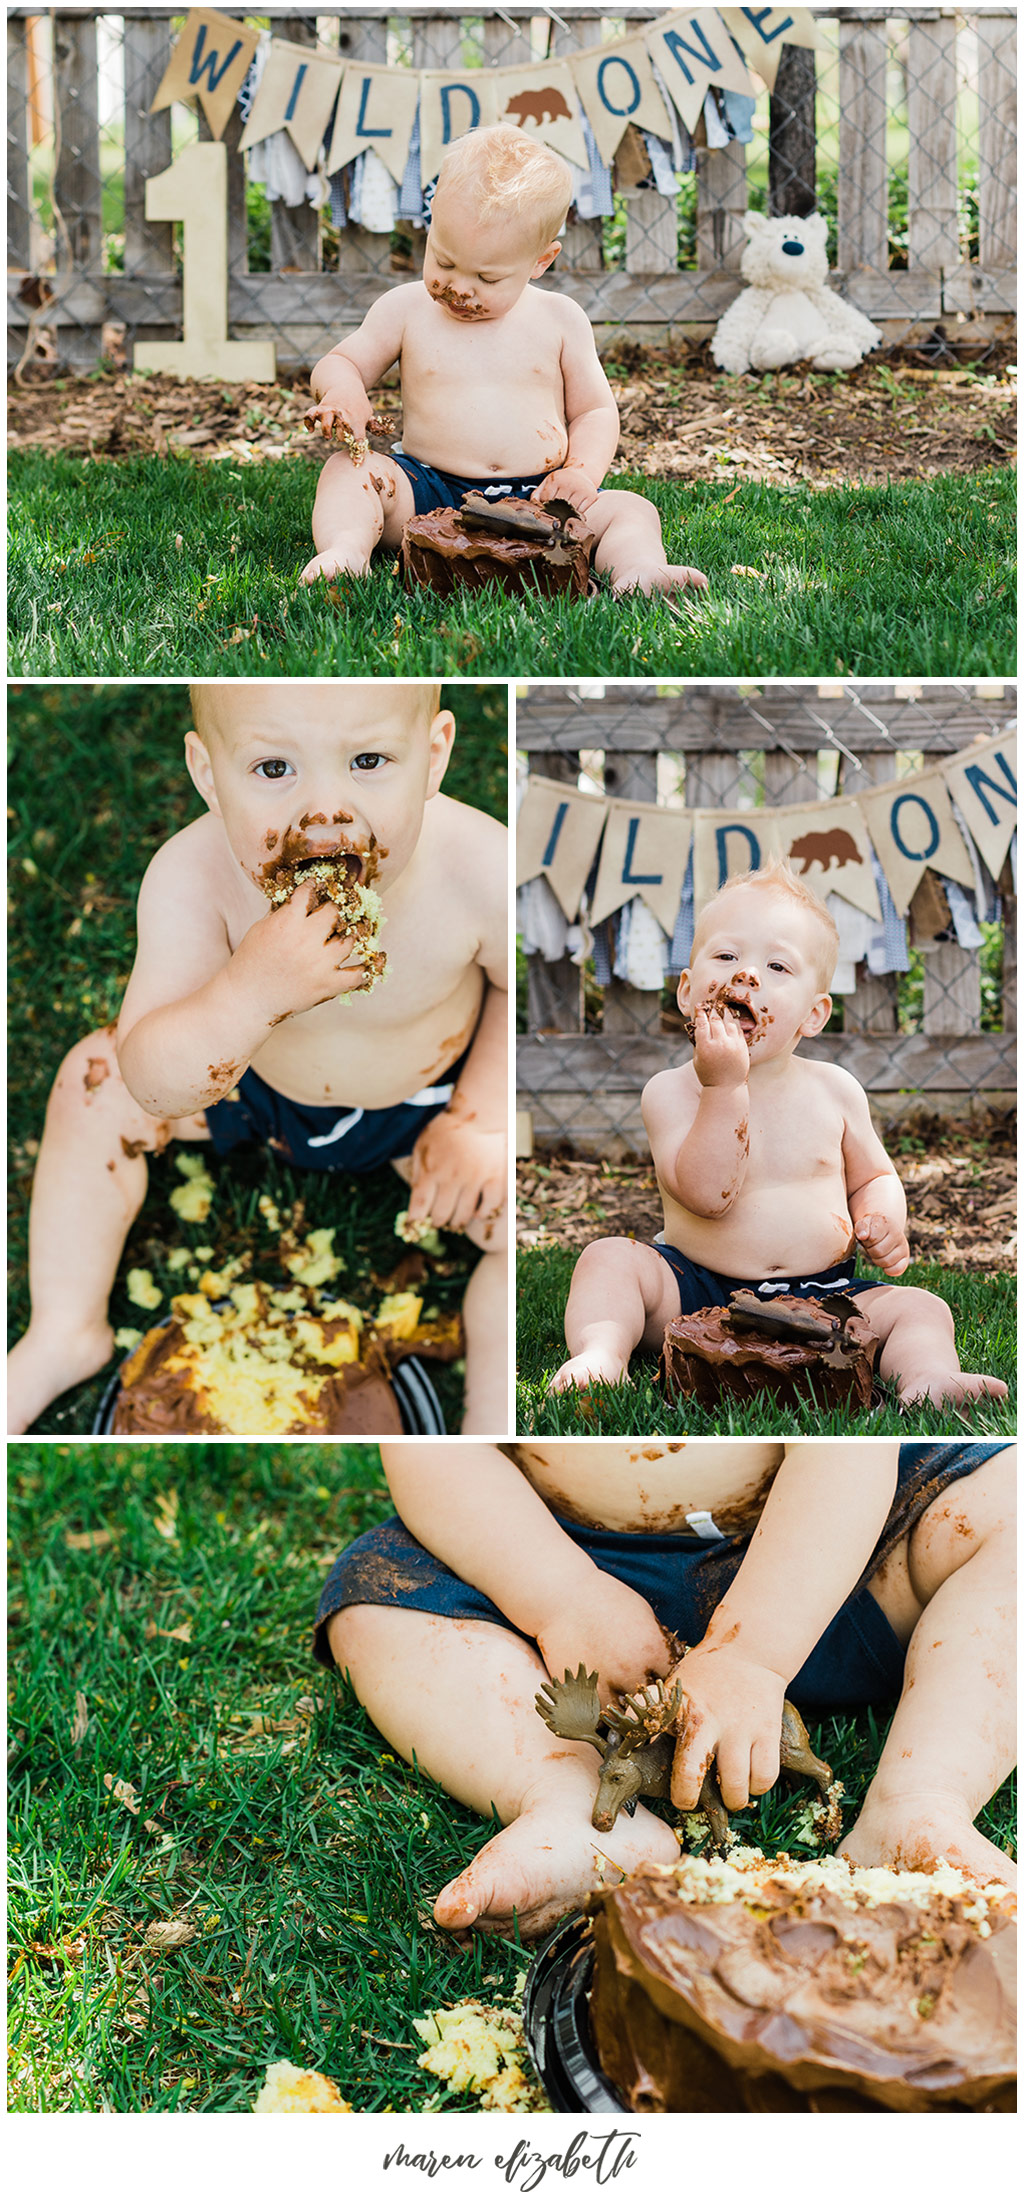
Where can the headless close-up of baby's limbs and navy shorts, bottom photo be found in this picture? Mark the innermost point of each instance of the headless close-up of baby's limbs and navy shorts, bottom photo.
(842, 1574)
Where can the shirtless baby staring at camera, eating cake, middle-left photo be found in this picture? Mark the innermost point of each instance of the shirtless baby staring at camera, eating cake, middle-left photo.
(248, 1019)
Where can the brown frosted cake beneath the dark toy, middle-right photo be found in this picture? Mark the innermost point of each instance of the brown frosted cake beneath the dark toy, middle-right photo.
(707, 1357)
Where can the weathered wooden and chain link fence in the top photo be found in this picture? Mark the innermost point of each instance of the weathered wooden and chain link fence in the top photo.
(902, 129)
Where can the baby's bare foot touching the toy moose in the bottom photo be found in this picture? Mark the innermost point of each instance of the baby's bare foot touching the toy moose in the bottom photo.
(544, 1866)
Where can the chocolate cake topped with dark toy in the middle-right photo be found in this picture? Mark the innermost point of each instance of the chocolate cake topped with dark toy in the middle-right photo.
(754, 1344)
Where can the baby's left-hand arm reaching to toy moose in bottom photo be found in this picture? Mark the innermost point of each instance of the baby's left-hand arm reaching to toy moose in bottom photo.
(480, 1514)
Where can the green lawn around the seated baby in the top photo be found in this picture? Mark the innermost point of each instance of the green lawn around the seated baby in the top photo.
(866, 582)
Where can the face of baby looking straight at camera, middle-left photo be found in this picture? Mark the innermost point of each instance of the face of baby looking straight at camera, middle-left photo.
(306, 770)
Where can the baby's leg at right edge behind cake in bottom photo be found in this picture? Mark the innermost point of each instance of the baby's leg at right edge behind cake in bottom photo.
(950, 1596)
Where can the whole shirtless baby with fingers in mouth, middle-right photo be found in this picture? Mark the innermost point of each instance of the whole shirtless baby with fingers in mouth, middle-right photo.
(767, 1165)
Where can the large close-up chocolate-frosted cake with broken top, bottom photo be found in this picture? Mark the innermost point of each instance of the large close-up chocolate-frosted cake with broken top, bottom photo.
(776, 1985)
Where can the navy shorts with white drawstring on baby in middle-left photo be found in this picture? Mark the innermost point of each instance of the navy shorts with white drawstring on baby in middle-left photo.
(326, 1139)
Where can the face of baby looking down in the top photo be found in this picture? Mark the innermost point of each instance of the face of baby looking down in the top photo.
(478, 266)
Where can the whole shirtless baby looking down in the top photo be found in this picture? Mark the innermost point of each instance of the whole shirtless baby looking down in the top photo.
(502, 385)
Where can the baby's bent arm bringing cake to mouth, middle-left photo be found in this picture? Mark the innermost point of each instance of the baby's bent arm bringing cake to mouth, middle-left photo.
(195, 1013)
